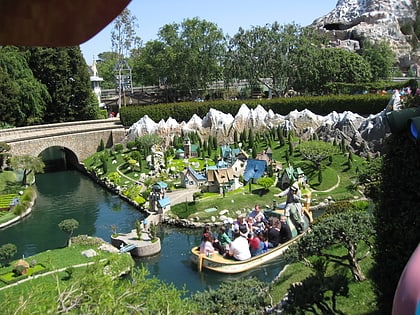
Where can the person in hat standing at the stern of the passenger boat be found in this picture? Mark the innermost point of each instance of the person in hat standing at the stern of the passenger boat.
(293, 207)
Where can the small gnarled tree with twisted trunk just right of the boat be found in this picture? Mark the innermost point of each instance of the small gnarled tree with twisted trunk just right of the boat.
(347, 229)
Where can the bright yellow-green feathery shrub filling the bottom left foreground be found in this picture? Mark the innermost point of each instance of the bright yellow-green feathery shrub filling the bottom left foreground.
(97, 292)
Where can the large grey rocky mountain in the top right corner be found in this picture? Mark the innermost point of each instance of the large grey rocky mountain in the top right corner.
(353, 21)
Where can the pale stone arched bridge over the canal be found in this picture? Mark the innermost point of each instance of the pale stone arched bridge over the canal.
(77, 140)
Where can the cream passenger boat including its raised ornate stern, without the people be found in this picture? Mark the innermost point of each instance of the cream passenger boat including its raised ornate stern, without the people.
(216, 262)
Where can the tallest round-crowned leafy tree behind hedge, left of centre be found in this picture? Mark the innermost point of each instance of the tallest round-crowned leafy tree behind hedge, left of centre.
(190, 53)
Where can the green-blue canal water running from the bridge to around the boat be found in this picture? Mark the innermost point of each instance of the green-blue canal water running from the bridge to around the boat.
(70, 194)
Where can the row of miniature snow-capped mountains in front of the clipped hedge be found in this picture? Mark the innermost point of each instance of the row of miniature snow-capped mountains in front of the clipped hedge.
(364, 135)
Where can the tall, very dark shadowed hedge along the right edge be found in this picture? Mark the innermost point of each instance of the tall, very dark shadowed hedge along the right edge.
(397, 218)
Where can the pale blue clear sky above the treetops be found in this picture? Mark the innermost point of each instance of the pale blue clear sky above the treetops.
(228, 15)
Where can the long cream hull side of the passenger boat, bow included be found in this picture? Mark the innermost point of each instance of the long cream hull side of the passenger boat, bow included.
(218, 263)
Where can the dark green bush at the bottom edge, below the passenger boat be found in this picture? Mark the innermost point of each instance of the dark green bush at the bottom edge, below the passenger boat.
(244, 297)
